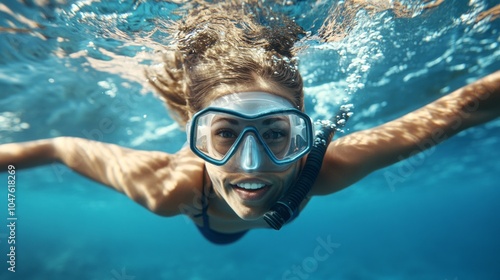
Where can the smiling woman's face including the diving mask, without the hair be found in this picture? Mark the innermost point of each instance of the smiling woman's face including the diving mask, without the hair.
(252, 143)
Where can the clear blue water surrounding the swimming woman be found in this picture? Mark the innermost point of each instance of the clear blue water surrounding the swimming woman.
(84, 66)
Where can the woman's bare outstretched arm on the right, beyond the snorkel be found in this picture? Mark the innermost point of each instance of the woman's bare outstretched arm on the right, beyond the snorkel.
(354, 156)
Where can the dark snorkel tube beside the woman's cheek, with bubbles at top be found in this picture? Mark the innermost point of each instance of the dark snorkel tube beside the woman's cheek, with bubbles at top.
(281, 212)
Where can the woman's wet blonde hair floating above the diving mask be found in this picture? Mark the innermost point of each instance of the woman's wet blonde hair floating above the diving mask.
(226, 45)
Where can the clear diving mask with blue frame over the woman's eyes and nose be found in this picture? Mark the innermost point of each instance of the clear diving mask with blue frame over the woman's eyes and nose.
(250, 131)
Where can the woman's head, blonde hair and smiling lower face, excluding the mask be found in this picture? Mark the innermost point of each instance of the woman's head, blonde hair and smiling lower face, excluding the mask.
(223, 49)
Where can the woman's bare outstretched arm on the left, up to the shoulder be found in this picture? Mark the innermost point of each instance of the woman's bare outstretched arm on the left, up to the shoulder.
(157, 180)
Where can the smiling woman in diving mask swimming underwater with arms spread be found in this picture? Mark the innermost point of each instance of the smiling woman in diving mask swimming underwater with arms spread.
(236, 87)
